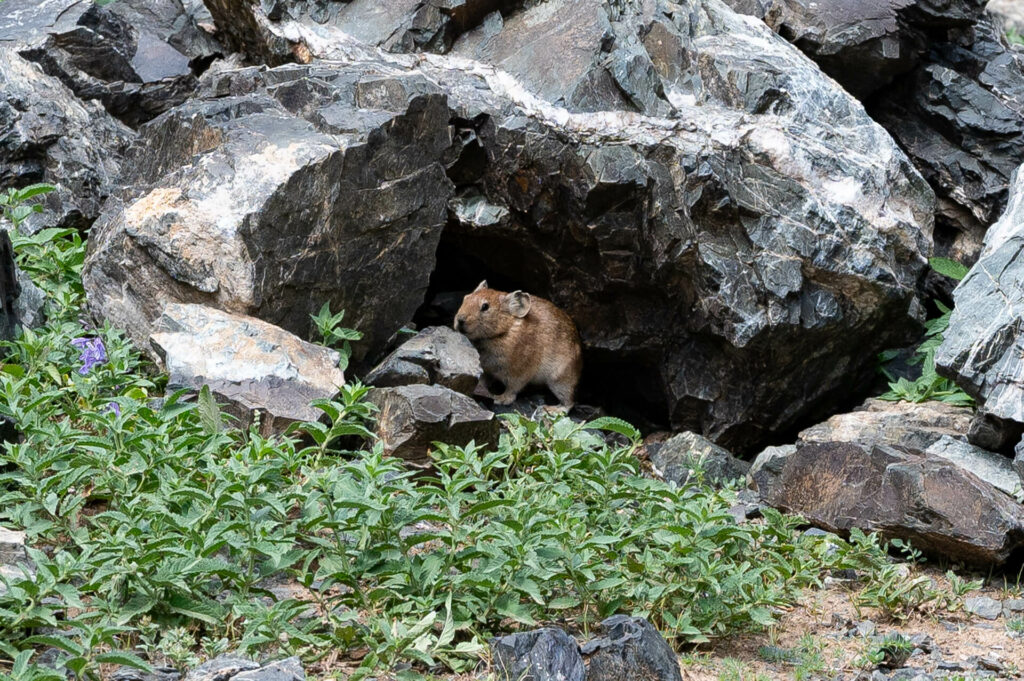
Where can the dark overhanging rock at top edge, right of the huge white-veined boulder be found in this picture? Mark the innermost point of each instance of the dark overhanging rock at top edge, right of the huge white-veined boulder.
(864, 45)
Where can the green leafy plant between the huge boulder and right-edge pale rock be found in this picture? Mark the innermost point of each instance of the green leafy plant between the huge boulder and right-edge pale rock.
(929, 386)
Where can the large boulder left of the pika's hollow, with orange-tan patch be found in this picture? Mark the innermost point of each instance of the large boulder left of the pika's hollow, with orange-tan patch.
(275, 193)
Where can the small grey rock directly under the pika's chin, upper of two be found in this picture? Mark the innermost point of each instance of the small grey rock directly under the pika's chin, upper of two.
(437, 355)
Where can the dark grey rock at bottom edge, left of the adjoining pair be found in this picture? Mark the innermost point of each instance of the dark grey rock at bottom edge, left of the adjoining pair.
(544, 655)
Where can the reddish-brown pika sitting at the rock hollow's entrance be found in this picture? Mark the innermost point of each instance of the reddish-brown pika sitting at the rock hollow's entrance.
(523, 340)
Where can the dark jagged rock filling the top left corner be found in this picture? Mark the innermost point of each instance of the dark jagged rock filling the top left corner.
(118, 55)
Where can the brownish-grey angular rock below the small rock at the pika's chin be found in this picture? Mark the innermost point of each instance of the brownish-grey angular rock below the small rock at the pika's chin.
(414, 417)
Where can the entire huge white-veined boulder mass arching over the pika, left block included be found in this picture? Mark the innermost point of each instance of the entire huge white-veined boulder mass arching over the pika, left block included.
(733, 256)
